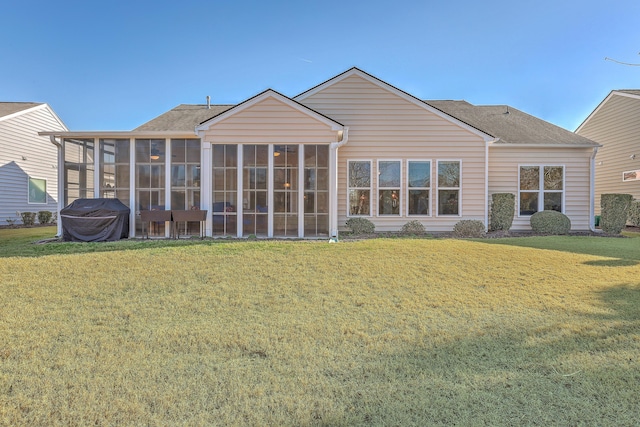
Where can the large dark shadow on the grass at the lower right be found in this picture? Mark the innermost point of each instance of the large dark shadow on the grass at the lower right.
(526, 374)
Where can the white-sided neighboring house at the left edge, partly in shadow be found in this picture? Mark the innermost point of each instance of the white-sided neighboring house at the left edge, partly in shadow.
(28, 161)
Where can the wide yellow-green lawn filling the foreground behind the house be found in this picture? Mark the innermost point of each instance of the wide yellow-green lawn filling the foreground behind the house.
(522, 331)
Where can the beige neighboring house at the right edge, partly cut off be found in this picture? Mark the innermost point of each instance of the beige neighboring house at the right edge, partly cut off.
(615, 124)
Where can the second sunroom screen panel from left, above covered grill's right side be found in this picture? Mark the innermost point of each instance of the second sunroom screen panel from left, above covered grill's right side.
(114, 169)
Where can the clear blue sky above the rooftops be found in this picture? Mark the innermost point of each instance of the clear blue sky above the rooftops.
(116, 64)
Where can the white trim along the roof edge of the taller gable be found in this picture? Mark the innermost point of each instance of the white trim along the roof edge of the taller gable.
(404, 95)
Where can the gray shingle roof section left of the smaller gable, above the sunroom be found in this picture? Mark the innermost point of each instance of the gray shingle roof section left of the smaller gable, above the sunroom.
(184, 117)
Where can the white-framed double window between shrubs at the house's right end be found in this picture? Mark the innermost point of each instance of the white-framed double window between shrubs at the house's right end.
(541, 191)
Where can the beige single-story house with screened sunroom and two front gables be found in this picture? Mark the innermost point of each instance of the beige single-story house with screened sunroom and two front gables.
(353, 146)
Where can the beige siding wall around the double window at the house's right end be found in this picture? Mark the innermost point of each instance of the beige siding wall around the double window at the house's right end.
(504, 162)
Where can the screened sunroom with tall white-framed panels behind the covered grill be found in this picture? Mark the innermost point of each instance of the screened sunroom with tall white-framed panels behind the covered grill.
(262, 190)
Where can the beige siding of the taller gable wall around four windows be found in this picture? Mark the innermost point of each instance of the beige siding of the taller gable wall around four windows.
(385, 126)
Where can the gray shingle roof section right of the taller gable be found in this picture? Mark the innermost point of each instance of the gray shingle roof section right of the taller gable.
(512, 126)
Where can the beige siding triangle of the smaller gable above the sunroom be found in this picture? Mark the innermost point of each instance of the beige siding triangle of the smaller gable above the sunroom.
(270, 121)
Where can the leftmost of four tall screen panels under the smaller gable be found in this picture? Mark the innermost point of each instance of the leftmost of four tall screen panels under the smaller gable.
(225, 189)
